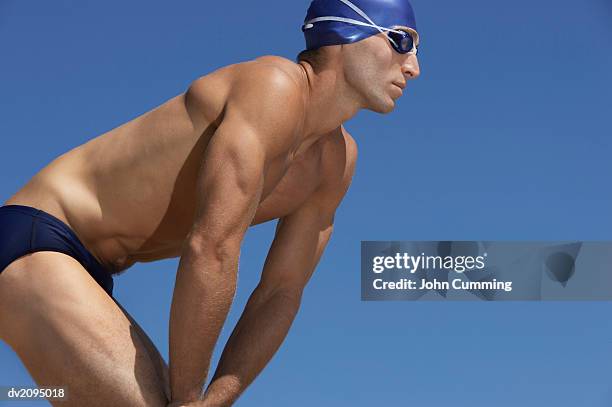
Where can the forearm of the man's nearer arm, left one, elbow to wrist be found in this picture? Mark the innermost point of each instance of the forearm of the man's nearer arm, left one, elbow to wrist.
(203, 293)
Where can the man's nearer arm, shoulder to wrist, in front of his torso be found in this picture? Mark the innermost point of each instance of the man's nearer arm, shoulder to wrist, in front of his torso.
(230, 185)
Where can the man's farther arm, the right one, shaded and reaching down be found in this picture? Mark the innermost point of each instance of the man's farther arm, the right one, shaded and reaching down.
(297, 247)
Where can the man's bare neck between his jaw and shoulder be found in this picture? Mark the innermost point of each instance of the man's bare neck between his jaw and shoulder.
(329, 100)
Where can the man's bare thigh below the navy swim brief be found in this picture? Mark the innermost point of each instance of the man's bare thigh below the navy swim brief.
(68, 332)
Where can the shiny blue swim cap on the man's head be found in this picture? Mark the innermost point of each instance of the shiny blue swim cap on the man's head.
(333, 22)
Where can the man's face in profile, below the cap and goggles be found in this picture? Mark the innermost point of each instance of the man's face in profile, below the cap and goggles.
(376, 72)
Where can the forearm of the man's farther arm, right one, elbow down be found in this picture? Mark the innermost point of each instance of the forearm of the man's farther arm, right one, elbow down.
(259, 333)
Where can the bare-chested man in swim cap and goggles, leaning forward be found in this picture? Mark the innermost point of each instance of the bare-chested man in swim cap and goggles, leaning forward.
(248, 143)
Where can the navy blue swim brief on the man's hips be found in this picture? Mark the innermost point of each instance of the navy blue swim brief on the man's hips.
(25, 230)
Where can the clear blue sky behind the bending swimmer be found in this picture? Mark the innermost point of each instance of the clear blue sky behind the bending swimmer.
(506, 135)
